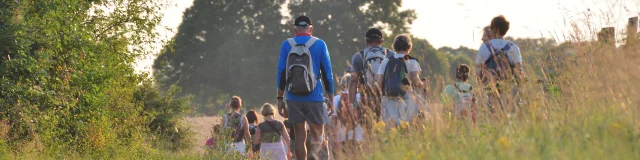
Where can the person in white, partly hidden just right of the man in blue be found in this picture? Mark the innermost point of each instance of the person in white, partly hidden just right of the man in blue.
(347, 129)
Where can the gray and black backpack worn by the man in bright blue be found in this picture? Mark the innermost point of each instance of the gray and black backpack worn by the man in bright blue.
(300, 79)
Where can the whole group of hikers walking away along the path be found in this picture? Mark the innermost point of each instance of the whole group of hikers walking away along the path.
(380, 85)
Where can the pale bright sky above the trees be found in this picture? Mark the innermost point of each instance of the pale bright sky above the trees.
(457, 23)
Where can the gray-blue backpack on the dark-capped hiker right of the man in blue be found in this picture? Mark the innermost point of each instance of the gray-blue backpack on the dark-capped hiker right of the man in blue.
(371, 60)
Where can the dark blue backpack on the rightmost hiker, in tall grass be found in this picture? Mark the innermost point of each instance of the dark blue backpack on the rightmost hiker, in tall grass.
(498, 63)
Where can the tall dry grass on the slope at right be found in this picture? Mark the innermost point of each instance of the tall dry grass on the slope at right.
(587, 109)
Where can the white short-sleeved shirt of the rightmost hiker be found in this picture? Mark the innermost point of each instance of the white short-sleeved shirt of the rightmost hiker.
(513, 54)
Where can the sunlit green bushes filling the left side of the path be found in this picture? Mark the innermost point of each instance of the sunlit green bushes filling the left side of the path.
(68, 84)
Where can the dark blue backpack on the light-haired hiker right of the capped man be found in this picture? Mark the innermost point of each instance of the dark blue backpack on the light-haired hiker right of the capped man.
(396, 77)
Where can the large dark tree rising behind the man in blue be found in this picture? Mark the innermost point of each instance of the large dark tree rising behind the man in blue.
(228, 47)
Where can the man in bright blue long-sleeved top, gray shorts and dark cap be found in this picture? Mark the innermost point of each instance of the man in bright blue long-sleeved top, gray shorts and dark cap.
(304, 62)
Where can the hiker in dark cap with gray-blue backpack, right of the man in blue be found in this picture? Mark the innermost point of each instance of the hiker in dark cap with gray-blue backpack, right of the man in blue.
(364, 65)
